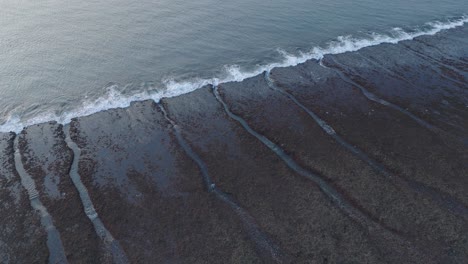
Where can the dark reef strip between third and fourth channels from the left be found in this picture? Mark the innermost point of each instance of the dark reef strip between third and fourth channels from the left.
(289, 208)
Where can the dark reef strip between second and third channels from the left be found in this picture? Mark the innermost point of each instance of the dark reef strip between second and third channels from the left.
(150, 194)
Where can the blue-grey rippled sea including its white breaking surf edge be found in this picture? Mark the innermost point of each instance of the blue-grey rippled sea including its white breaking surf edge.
(63, 59)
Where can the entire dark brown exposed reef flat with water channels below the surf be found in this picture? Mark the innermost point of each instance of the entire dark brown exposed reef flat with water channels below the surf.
(361, 157)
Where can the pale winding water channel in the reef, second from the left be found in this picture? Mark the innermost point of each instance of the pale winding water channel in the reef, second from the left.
(111, 245)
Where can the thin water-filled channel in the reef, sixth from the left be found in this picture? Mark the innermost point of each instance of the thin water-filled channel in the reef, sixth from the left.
(372, 97)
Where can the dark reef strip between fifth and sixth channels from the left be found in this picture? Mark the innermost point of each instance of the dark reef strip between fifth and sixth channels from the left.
(417, 154)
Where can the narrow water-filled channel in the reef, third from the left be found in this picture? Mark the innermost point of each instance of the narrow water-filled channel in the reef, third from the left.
(264, 245)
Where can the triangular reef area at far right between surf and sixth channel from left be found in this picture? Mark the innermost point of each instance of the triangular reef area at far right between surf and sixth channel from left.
(415, 78)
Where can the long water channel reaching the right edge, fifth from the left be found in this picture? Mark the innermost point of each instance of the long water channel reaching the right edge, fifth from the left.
(444, 200)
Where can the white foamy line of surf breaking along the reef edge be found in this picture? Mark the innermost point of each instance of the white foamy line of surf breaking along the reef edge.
(114, 99)
